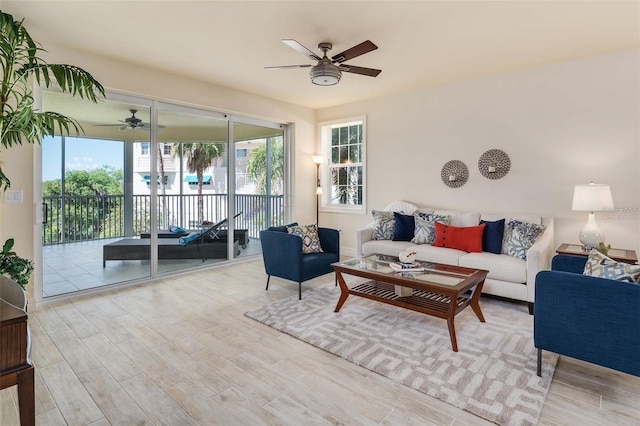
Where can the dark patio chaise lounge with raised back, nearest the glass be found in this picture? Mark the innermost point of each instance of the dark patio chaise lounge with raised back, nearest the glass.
(200, 246)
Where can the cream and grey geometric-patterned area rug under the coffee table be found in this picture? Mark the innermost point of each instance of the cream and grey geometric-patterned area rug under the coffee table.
(492, 376)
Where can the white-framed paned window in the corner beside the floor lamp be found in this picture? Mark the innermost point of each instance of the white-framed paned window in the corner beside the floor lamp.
(343, 174)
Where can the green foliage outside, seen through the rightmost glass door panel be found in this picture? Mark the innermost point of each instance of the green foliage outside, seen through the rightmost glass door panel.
(257, 168)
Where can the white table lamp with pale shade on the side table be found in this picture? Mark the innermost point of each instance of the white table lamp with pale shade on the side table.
(592, 197)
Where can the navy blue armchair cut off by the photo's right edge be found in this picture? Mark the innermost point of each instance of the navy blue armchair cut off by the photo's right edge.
(587, 318)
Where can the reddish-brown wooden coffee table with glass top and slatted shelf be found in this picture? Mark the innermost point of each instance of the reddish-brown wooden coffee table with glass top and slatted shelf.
(439, 290)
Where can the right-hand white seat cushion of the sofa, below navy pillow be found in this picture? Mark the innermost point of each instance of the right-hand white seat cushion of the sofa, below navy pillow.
(500, 266)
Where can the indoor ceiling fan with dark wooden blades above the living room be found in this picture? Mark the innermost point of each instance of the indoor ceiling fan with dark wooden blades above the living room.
(328, 71)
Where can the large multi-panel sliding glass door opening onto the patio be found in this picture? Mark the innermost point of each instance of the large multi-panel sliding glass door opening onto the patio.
(152, 188)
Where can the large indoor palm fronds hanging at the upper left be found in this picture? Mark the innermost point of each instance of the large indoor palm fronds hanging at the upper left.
(19, 120)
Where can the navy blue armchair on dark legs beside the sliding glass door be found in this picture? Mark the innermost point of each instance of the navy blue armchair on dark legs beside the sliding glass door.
(283, 257)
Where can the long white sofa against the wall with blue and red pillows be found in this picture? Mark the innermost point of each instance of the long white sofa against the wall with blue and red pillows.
(508, 276)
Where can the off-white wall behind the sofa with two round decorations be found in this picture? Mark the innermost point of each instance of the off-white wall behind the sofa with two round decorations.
(561, 125)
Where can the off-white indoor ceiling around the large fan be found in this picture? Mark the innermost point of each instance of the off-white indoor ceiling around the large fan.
(421, 43)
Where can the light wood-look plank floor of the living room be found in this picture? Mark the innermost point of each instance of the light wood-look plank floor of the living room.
(180, 351)
